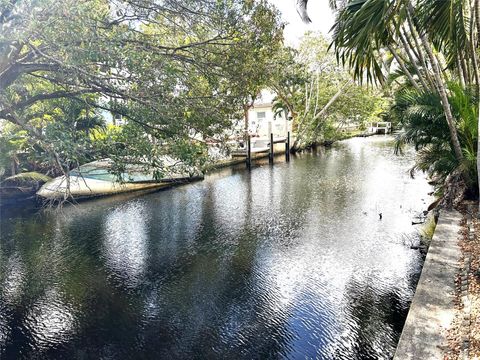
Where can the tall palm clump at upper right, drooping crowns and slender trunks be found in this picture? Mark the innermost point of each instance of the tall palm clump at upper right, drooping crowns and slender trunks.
(431, 42)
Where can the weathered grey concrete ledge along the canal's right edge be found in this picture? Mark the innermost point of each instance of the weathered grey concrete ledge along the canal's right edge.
(432, 310)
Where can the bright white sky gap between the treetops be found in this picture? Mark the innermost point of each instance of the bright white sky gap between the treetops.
(318, 10)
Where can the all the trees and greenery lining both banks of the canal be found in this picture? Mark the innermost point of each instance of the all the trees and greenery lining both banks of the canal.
(184, 73)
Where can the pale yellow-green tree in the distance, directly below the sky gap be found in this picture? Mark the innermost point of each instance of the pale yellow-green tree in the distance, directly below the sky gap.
(313, 79)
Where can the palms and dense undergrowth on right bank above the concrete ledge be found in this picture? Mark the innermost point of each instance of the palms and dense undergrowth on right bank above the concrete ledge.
(427, 54)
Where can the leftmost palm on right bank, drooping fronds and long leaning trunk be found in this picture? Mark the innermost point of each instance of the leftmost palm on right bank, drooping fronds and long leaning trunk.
(366, 27)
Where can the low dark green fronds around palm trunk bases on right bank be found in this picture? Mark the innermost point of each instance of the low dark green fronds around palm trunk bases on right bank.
(424, 125)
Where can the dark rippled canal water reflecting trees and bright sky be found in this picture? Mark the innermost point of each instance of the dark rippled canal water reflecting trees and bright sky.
(290, 261)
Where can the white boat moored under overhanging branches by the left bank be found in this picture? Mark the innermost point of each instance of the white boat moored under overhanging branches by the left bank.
(98, 179)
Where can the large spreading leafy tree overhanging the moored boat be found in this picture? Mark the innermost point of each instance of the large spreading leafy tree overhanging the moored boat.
(164, 66)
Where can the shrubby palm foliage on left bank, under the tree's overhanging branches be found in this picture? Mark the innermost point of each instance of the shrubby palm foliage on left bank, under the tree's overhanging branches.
(65, 126)
